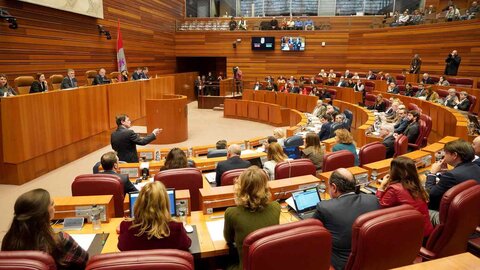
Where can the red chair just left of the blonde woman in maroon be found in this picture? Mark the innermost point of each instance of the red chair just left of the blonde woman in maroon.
(100, 184)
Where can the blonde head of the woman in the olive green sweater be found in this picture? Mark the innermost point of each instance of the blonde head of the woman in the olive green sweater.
(251, 189)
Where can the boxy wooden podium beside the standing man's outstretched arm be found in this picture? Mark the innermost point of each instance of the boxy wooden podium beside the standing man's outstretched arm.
(170, 113)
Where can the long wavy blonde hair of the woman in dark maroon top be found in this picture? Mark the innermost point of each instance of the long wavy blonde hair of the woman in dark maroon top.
(152, 211)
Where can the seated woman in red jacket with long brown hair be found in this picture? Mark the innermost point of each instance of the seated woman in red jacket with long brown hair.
(402, 186)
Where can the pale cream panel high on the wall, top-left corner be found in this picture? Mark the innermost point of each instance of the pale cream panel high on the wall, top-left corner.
(93, 8)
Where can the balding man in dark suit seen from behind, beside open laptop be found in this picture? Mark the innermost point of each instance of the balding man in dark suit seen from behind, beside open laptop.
(339, 213)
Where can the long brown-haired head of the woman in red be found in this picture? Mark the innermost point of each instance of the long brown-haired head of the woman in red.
(404, 171)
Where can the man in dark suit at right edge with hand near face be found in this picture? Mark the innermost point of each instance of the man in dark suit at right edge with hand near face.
(458, 154)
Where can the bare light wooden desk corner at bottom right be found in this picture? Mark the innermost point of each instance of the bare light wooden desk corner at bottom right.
(464, 261)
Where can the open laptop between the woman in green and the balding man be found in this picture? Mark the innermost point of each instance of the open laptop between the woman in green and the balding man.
(305, 202)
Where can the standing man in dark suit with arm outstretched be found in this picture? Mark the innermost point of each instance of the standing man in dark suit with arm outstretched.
(124, 140)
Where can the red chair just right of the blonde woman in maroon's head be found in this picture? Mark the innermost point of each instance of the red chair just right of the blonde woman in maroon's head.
(185, 178)
